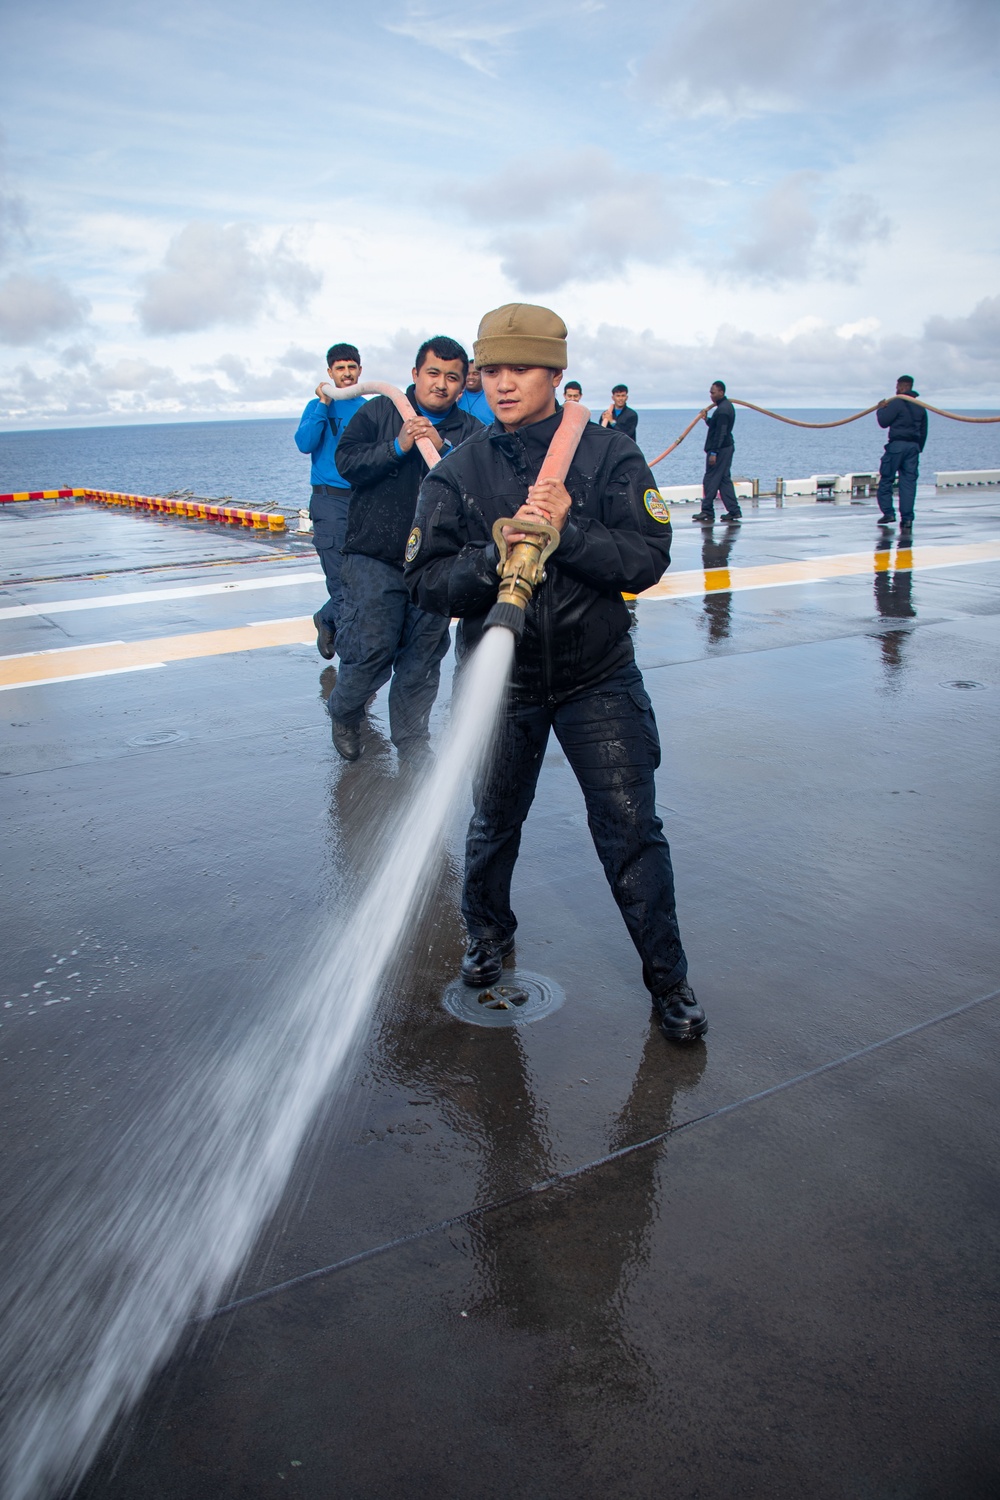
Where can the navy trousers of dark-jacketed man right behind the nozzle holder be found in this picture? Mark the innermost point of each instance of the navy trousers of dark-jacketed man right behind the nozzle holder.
(382, 635)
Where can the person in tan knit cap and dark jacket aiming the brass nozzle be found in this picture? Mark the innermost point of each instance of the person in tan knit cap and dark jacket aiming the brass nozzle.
(575, 668)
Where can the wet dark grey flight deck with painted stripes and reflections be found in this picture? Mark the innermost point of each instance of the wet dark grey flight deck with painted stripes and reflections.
(558, 1259)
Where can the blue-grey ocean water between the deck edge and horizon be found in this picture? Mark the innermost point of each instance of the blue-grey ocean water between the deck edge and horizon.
(259, 461)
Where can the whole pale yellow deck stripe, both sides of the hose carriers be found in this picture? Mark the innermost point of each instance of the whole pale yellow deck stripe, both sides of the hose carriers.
(127, 656)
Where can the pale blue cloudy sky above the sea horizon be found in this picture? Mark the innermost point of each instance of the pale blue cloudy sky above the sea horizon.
(197, 199)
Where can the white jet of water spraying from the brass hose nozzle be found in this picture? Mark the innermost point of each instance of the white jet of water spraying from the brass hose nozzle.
(121, 1268)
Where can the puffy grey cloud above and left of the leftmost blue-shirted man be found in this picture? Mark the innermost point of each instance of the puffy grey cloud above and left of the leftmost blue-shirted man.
(221, 275)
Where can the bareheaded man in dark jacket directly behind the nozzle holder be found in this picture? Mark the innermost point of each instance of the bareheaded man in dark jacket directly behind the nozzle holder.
(382, 634)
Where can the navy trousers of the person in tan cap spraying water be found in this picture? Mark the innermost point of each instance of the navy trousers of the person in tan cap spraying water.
(609, 737)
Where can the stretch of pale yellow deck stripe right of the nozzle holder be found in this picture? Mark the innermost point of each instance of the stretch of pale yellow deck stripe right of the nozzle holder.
(813, 571)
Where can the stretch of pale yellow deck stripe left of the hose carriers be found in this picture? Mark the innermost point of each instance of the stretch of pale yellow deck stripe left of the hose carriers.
(44, 667)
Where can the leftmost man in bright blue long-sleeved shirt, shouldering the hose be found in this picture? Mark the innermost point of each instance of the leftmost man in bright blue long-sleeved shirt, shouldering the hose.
(319, 434)
